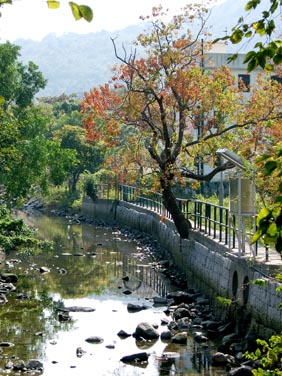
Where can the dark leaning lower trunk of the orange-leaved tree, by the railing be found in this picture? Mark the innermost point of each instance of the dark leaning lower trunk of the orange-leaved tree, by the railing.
(181, 223)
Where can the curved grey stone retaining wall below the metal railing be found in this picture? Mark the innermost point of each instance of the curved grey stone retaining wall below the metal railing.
(210, 265)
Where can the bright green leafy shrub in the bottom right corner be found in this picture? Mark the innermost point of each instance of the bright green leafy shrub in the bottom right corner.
(269, 356)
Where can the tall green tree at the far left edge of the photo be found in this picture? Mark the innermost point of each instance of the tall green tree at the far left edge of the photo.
(23, 150)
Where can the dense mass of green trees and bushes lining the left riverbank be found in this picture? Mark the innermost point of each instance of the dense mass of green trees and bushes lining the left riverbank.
(43, 145)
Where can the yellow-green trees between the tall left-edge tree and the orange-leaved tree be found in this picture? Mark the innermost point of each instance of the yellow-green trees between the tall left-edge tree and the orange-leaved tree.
(70, 153)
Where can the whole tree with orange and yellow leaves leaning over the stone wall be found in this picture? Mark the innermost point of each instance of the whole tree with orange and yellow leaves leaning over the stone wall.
(176, 112)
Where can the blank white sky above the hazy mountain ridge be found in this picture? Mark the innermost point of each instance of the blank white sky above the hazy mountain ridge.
(32, 19)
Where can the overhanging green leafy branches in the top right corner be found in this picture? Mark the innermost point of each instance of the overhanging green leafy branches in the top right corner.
(267, 53)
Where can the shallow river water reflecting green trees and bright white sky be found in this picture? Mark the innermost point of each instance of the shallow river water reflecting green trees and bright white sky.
(87, 269)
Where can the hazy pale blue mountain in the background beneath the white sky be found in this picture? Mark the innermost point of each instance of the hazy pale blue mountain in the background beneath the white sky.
(74, 63)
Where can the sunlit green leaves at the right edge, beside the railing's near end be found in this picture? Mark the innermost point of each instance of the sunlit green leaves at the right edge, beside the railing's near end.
(269, 219)
